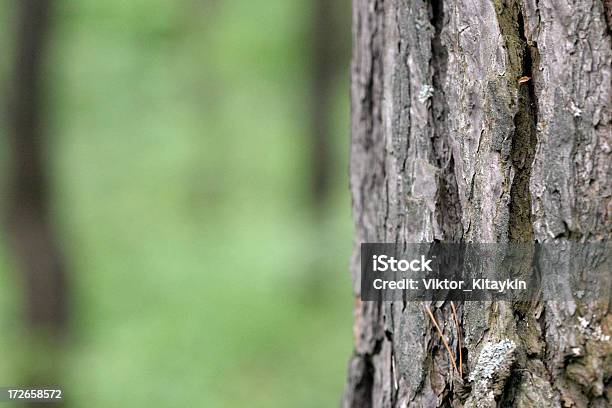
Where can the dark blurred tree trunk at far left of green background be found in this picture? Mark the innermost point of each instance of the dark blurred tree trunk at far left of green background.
(29, 228)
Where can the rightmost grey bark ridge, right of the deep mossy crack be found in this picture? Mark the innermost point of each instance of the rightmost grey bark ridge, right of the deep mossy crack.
(570, 183)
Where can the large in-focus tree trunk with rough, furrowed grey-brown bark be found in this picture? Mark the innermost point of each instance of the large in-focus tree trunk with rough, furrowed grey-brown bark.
(449, 145)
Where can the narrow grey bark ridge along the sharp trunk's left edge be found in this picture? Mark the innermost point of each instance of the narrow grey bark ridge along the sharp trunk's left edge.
(367, 179)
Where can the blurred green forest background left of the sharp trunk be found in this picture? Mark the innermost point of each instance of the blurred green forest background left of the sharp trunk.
(174, 201)
